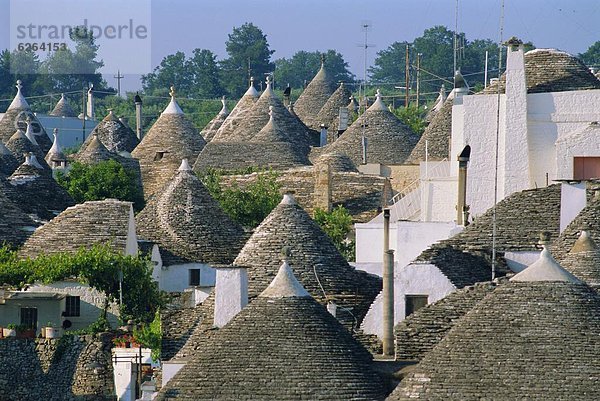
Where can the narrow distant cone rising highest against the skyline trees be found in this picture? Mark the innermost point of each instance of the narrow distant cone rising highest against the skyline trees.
(314, 97)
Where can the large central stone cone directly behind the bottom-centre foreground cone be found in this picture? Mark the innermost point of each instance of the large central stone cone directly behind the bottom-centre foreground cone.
(288, 225)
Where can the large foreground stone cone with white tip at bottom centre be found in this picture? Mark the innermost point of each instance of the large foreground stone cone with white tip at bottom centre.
(282, 346)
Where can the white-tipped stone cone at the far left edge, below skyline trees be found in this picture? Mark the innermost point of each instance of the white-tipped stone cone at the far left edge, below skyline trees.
(17, 116)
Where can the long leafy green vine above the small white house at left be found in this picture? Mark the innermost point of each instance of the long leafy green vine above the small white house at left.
(100, 268)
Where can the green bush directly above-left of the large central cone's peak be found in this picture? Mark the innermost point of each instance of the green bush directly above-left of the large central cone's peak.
(248, 205)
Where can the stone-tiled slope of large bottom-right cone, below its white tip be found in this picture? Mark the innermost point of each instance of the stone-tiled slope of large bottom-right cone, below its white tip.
(525, 340)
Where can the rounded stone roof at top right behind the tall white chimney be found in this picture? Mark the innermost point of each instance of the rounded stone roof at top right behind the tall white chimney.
(550, 70)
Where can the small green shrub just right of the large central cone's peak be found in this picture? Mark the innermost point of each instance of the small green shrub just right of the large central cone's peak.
(338, 224)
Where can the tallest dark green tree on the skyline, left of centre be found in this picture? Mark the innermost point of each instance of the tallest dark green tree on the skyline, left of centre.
(249, 54)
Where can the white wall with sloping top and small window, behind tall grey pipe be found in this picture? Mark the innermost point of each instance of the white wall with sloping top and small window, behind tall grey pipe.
(414, 279)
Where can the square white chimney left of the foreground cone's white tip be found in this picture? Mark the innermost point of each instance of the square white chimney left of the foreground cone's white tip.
(231, 293)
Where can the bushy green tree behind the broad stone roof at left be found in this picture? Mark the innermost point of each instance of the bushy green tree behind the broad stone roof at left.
(104, 180)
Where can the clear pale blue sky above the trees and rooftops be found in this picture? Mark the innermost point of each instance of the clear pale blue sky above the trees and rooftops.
(290, 26)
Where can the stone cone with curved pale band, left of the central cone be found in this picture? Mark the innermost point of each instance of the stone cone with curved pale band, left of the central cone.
(187, 222)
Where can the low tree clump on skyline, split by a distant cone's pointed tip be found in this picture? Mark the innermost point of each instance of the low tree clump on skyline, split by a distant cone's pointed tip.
(302, 67)
